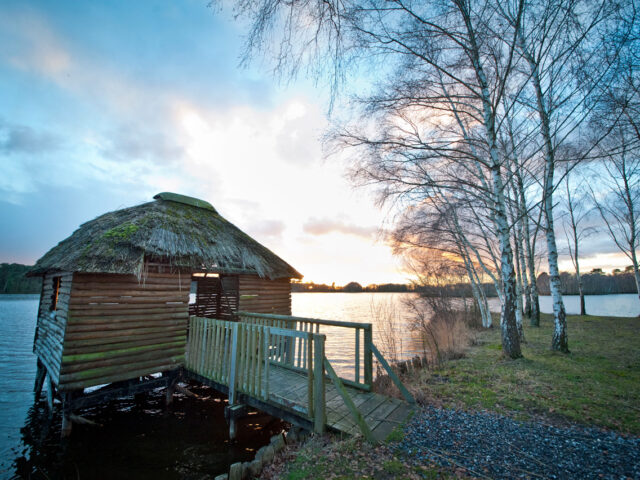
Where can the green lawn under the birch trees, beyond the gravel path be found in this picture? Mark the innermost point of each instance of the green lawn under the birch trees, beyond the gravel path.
(598, 383)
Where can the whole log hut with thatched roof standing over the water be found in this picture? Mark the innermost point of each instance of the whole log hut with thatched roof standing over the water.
(116, 300)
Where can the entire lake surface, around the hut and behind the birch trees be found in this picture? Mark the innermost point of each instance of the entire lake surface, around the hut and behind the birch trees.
(139, 437)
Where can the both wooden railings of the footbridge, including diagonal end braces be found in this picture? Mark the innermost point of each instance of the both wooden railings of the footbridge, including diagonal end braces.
(241, 355)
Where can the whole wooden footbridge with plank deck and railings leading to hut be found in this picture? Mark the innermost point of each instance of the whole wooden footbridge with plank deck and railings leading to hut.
(277, 364)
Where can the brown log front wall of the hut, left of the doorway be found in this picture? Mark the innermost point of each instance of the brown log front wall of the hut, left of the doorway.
(119, 328)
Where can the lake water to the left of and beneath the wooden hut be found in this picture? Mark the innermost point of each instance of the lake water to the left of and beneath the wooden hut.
(139, 438)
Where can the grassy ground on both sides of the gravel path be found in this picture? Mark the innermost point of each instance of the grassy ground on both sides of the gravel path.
(597, 384)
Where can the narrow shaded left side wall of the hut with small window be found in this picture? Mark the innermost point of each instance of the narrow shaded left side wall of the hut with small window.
(47, 344)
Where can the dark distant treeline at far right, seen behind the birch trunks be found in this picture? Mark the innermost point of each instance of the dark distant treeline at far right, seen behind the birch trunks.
(594, 283)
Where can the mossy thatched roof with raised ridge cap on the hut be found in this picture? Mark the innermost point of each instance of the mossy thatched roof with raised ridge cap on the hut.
(183, 231)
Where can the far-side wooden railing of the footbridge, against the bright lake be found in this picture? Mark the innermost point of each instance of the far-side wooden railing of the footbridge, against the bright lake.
(361, 332)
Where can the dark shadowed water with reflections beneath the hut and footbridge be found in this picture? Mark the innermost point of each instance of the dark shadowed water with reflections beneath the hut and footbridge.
(140, 438)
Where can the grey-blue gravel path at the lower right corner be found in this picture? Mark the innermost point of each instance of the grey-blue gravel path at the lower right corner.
(488, 445)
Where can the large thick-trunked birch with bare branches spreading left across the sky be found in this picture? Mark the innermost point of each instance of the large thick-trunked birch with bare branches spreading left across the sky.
(404, 136)
